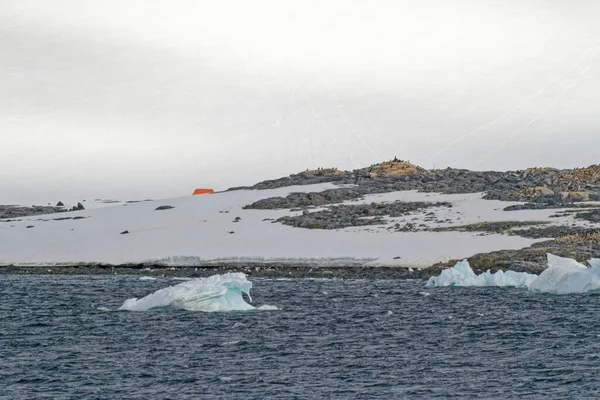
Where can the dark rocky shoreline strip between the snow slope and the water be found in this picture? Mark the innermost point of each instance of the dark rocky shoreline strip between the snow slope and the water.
(580, 247)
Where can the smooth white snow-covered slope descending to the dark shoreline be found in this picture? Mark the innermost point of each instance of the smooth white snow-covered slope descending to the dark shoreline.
(202, 228)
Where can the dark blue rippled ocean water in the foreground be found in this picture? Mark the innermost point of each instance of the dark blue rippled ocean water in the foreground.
(332, 339)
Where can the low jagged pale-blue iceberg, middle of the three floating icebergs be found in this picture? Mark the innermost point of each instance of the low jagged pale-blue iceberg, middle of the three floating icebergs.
(462, 275)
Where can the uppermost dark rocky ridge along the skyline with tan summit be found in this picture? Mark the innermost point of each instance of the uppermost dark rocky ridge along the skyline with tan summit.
(545, 187)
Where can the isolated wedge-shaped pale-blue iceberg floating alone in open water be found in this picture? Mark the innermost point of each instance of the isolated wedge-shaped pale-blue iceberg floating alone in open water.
(212, 294)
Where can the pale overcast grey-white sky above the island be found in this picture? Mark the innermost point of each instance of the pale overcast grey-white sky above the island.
(153, 98)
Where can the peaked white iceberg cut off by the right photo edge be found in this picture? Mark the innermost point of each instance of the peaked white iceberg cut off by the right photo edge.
(565, 275)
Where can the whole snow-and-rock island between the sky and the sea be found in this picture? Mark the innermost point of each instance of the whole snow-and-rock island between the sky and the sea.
(392, 219)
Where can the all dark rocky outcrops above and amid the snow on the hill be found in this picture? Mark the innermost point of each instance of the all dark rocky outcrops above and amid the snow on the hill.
(541, 188)
